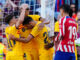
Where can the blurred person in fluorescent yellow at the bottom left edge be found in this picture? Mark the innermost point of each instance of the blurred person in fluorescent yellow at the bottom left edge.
(3, 51)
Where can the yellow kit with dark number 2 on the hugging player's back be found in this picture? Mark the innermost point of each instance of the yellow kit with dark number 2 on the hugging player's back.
(41, 39)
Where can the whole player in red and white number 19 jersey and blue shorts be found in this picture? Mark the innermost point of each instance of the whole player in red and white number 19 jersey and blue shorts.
(66, 36)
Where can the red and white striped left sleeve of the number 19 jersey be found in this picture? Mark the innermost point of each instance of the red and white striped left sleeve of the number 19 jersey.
(61, 29)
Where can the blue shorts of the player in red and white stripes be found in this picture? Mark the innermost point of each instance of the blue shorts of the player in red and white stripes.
(64, 56)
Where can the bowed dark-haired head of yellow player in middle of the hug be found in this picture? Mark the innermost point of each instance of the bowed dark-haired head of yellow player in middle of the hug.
(28, 22)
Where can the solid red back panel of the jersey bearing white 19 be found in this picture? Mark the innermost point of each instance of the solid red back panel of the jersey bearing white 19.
(70, 30)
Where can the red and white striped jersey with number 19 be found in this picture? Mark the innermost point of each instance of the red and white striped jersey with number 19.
(67, 34)
